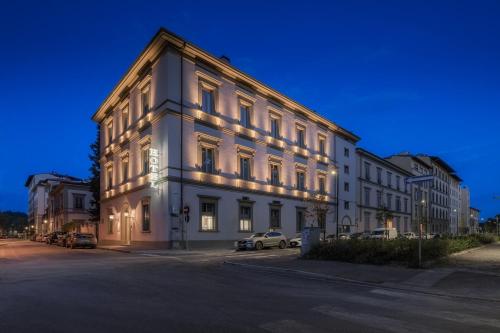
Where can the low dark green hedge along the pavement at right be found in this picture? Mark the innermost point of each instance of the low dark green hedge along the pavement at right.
(400, 251)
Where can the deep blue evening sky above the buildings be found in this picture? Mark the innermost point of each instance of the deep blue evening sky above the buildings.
(420, 76)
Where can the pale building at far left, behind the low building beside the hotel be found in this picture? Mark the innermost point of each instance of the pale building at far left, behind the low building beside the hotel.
(38, 191)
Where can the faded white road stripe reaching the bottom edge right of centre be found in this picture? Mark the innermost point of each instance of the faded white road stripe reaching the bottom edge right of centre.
(370, 320)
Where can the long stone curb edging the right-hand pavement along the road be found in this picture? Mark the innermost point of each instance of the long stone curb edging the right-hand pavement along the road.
(330, 278)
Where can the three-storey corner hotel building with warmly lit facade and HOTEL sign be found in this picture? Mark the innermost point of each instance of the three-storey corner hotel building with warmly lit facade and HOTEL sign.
(184, 129)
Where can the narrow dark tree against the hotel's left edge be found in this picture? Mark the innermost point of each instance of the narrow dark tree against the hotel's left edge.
(95, 180)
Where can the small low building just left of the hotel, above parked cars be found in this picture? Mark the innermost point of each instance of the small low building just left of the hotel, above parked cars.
(68, 205)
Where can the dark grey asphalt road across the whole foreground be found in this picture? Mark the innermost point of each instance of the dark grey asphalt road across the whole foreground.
(52, 289)
